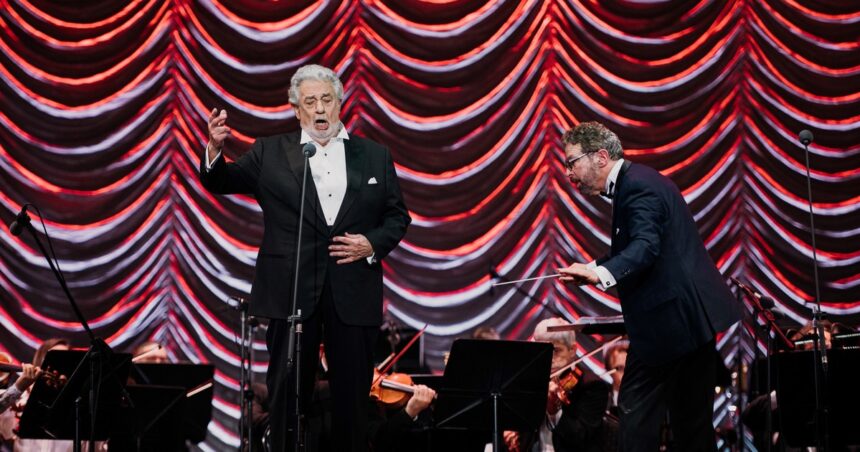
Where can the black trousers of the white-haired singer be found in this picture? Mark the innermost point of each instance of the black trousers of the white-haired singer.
(349, 352)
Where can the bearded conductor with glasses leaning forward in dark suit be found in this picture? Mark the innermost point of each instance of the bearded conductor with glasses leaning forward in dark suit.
(673, 298)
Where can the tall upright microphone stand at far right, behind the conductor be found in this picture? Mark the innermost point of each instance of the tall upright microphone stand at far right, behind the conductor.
(819, 352)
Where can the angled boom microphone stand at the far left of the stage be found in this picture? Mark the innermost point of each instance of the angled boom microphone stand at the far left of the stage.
(99, 352)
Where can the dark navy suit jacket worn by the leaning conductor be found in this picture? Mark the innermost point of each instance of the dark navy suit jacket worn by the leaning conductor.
(673, 298)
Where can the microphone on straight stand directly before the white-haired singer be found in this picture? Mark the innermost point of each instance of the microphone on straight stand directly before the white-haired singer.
(294, 348)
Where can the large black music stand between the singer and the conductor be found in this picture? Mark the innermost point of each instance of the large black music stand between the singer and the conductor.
(494, 385)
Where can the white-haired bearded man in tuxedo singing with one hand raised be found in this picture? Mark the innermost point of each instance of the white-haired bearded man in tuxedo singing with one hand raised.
(354, 216)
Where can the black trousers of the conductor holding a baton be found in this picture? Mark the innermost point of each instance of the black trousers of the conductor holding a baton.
(684, 387)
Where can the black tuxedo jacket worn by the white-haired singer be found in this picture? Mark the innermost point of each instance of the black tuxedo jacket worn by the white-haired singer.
(373, 206)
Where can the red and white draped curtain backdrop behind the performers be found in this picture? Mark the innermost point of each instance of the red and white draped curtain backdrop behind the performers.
(103, 123)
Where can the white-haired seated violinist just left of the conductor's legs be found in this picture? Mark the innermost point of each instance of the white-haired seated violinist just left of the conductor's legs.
(577, 425)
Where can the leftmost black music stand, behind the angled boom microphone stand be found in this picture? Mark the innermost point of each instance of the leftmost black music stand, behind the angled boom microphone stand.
(50, 412)
